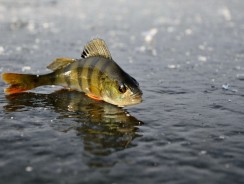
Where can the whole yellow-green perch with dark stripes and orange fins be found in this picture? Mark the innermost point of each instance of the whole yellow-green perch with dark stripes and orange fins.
(96, 74)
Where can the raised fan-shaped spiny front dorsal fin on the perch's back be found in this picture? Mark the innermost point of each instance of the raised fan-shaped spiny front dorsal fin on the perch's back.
(96, 47)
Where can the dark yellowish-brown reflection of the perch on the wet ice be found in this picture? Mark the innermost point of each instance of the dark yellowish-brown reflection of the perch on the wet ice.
(104, 128)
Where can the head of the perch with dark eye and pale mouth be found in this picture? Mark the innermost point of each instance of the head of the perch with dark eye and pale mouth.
(122, 92)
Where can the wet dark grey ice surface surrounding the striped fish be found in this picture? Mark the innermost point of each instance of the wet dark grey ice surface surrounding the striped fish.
(188, 58)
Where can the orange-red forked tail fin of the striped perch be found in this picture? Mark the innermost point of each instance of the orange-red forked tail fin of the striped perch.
(19, 82)
